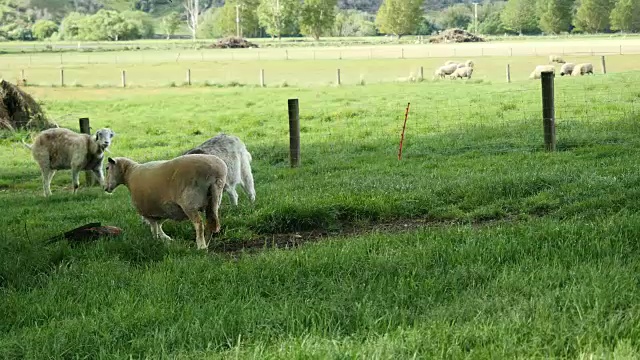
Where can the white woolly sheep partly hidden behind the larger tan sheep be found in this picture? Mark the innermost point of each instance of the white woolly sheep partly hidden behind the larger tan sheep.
(234, 153)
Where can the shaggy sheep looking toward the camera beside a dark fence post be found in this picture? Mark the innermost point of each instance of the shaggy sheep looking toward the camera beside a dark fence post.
(63, 149)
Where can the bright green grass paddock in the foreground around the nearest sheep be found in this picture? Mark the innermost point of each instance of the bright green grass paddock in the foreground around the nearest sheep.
(476, 244)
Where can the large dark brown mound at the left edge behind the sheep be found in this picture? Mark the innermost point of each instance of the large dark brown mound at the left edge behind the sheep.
(18, 110)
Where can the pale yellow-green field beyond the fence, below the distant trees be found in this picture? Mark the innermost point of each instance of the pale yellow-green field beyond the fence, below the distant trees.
(307, 66)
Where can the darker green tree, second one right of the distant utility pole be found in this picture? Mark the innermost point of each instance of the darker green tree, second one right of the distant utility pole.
(318, 17)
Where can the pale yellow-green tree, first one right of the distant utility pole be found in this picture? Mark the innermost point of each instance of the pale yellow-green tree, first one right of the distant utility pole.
(279, 17)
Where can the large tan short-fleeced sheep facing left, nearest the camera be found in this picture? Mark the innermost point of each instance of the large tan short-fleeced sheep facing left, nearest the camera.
(176, 189)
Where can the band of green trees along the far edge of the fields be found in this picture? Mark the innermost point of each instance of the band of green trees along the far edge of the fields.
(313, 18)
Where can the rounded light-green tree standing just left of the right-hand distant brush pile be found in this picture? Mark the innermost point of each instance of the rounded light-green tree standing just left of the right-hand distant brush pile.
(399, 17)
